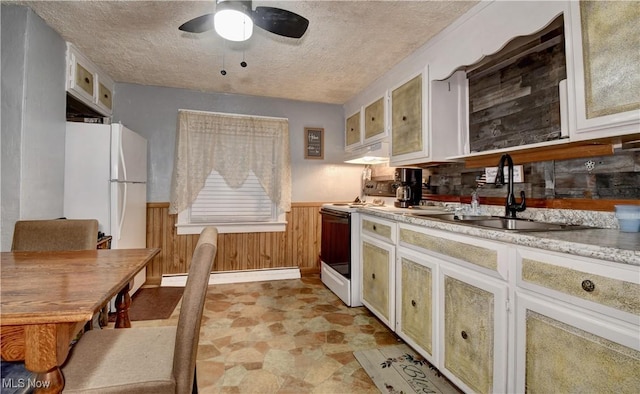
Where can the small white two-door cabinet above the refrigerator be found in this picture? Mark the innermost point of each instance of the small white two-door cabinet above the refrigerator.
(86, 82)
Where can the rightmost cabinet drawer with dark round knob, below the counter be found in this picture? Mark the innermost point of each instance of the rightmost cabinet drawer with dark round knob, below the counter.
(591, 283)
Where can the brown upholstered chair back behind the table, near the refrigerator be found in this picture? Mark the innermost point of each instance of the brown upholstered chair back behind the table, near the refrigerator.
(55, 234)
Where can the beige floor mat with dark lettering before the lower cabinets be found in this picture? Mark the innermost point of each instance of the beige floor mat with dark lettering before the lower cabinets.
(399, 369)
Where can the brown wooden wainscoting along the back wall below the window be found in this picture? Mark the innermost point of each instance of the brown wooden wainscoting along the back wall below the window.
(298, 246)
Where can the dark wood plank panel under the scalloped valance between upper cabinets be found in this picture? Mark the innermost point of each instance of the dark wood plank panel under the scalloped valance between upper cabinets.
(513, 100)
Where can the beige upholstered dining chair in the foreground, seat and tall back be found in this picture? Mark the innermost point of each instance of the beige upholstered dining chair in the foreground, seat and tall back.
(147, 359)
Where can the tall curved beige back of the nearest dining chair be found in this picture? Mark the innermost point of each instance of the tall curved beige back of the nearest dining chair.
(188, 331)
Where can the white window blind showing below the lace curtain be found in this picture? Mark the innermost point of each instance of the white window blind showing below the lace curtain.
(219, 203)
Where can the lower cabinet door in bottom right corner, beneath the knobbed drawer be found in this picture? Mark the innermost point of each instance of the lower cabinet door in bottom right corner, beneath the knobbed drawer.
(571, 351)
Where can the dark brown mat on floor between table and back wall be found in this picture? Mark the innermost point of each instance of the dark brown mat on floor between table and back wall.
(153, 303)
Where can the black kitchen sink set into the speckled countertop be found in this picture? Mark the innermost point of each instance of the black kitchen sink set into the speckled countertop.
(500, 223)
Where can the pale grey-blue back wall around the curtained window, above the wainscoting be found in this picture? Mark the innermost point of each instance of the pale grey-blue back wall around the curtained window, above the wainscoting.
(153, 112)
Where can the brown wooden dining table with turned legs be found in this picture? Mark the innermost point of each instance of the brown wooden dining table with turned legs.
(46, 298)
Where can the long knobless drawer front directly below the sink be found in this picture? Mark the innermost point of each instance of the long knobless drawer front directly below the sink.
(478, 253)
